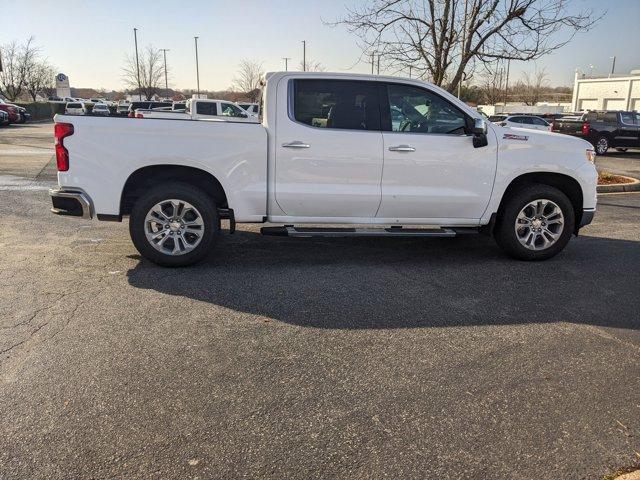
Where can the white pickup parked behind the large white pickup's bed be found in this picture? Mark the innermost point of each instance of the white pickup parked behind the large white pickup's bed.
(199, 109)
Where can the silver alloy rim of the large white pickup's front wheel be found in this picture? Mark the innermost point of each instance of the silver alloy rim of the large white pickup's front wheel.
(539, 224)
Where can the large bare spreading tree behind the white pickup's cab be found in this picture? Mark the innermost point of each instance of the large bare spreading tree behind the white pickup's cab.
(443, 39)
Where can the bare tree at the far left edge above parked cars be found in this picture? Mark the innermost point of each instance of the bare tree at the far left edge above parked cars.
(17, 59)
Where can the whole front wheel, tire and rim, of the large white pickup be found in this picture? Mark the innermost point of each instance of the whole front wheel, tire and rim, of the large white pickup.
(535, 223)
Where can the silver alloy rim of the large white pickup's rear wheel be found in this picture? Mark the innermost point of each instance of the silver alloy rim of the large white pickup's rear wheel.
(174, 227)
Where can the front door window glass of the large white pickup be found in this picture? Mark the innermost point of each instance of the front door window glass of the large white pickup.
(417, 110)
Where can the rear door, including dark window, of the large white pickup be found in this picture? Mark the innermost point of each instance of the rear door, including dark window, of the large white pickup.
(328, 149)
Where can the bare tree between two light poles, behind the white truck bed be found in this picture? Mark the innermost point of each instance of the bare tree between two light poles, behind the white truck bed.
(151, 72)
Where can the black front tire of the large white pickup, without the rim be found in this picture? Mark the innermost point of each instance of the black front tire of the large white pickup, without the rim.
(505, 230)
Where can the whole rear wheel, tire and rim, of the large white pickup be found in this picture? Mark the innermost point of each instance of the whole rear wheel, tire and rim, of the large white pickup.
(174, 224)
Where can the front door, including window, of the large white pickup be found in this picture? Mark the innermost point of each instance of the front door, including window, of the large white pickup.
(432, 172)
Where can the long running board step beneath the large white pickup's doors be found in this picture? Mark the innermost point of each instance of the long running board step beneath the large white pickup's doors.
(291, 231)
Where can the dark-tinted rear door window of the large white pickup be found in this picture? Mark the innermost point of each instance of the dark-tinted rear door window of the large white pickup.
(341, 104)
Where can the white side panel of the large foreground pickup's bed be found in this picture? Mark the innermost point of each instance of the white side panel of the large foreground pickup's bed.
(104, 152)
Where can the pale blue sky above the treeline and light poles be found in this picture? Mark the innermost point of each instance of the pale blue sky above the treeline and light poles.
(88, 39)
